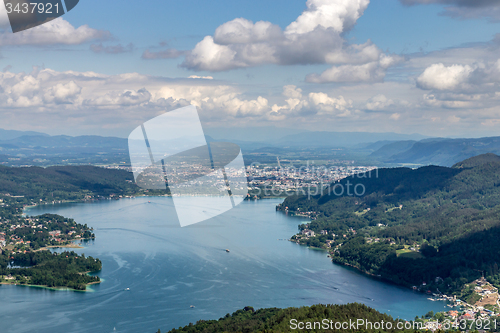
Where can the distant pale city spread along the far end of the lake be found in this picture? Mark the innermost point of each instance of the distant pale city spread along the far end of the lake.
(262, 180)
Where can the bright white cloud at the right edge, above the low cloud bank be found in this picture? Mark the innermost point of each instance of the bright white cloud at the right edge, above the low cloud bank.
(466, 77)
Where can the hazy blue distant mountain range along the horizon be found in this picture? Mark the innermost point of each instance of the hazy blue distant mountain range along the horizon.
(388, 149)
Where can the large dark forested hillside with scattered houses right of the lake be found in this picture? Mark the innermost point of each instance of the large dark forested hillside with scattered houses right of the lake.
(433, 227)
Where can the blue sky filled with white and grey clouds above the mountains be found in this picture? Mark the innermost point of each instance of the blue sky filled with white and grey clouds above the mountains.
(405, 66)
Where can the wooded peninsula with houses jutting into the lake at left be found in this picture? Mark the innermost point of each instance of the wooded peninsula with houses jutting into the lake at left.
(25, 241)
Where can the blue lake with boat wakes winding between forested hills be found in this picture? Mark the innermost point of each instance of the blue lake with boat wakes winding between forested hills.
(168, 269)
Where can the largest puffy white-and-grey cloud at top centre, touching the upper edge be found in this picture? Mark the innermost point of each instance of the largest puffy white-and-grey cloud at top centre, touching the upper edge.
(315, 37)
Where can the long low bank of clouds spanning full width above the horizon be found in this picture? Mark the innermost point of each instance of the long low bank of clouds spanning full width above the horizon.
(83, 102)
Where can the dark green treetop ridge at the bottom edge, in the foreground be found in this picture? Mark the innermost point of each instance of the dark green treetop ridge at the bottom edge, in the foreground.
(282, 320)
